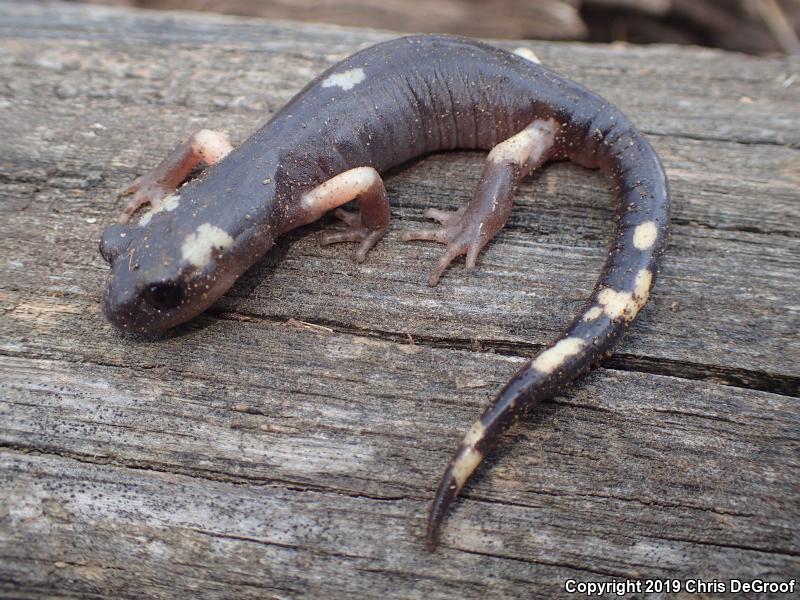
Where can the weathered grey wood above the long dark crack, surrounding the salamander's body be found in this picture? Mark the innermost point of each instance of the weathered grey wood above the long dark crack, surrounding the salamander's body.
(717, 232)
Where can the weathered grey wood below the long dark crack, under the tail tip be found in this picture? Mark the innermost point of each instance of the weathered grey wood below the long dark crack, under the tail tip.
(341, 430)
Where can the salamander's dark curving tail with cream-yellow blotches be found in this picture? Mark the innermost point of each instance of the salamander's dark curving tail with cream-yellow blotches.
(620, 293)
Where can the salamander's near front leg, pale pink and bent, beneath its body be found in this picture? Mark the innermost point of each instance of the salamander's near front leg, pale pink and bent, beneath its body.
(367, 226)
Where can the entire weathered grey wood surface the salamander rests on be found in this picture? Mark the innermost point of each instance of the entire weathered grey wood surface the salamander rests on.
(251, 455)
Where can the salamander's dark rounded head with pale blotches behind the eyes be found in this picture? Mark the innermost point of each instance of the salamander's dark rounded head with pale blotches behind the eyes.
(172, 265)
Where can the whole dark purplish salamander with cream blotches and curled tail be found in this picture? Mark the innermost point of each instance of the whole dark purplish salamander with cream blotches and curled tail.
(375, 110)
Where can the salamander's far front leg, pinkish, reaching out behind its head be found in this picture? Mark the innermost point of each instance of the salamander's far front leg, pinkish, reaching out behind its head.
(203, 148)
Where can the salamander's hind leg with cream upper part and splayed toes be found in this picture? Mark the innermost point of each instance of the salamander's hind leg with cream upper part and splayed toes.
(468, 230)
